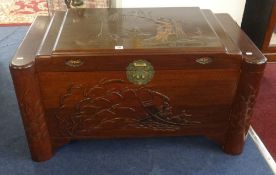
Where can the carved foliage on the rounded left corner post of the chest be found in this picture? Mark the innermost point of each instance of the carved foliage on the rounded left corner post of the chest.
(30, 105)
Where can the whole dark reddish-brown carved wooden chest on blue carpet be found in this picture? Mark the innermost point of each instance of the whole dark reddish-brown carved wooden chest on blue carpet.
(105, 73)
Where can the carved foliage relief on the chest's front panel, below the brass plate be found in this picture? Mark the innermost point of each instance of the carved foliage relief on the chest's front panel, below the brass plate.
(111, 105)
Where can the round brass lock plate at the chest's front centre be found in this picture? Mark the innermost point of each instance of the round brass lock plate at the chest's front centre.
(140, 72)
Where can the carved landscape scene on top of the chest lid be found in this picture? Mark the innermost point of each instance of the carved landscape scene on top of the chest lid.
(142, 29)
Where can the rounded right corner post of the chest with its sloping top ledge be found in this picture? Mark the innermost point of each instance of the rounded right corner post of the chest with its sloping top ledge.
(248, 87)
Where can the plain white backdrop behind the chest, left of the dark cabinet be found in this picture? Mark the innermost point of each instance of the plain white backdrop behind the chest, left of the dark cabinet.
(233, 7)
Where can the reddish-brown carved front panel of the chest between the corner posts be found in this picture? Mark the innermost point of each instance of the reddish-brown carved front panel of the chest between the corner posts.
(80, 104)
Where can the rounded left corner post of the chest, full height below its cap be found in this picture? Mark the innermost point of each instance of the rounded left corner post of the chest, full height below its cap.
(32, 113)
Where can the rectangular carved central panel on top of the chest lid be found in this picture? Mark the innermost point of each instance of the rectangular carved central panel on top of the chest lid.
(136, 29)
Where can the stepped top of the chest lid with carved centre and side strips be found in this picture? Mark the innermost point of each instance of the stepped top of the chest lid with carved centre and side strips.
(128, 31)
